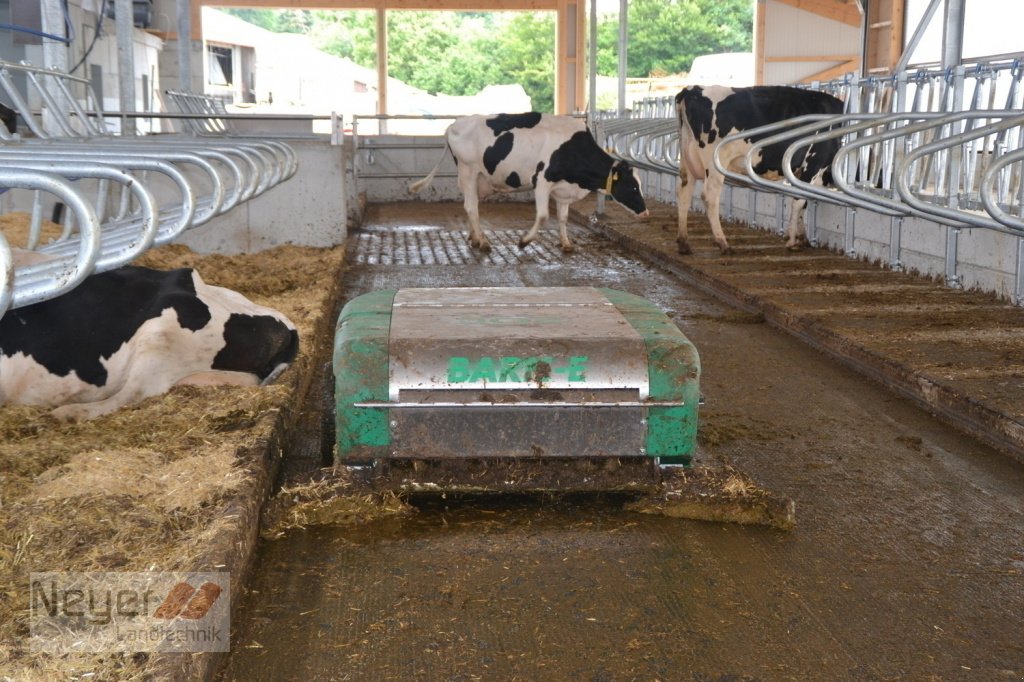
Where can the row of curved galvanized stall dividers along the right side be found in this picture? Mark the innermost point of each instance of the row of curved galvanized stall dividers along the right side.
(947, 146)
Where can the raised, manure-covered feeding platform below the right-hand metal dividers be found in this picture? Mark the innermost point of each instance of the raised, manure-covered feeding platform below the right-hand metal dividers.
(960, 354)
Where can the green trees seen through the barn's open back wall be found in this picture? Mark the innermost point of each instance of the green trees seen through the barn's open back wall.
(462, 53)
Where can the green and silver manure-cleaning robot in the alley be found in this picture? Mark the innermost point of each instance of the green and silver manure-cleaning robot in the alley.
(519, 390)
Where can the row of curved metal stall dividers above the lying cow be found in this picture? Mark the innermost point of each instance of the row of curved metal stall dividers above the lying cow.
(125, 193)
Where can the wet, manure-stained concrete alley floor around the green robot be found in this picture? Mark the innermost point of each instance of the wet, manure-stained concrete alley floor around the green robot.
(907, 563)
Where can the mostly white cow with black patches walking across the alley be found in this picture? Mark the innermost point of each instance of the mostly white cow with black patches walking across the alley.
(556, 156)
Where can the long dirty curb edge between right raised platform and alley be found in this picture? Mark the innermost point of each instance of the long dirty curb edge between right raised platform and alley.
(993, 428)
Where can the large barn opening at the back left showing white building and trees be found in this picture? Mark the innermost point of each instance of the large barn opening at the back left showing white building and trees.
(408, 63)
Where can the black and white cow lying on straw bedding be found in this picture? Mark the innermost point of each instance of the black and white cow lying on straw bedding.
(135, 332)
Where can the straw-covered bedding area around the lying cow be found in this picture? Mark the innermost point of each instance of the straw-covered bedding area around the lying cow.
(174, 483)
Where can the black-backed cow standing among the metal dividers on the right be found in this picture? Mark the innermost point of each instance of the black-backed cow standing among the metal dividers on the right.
(708, 114)
